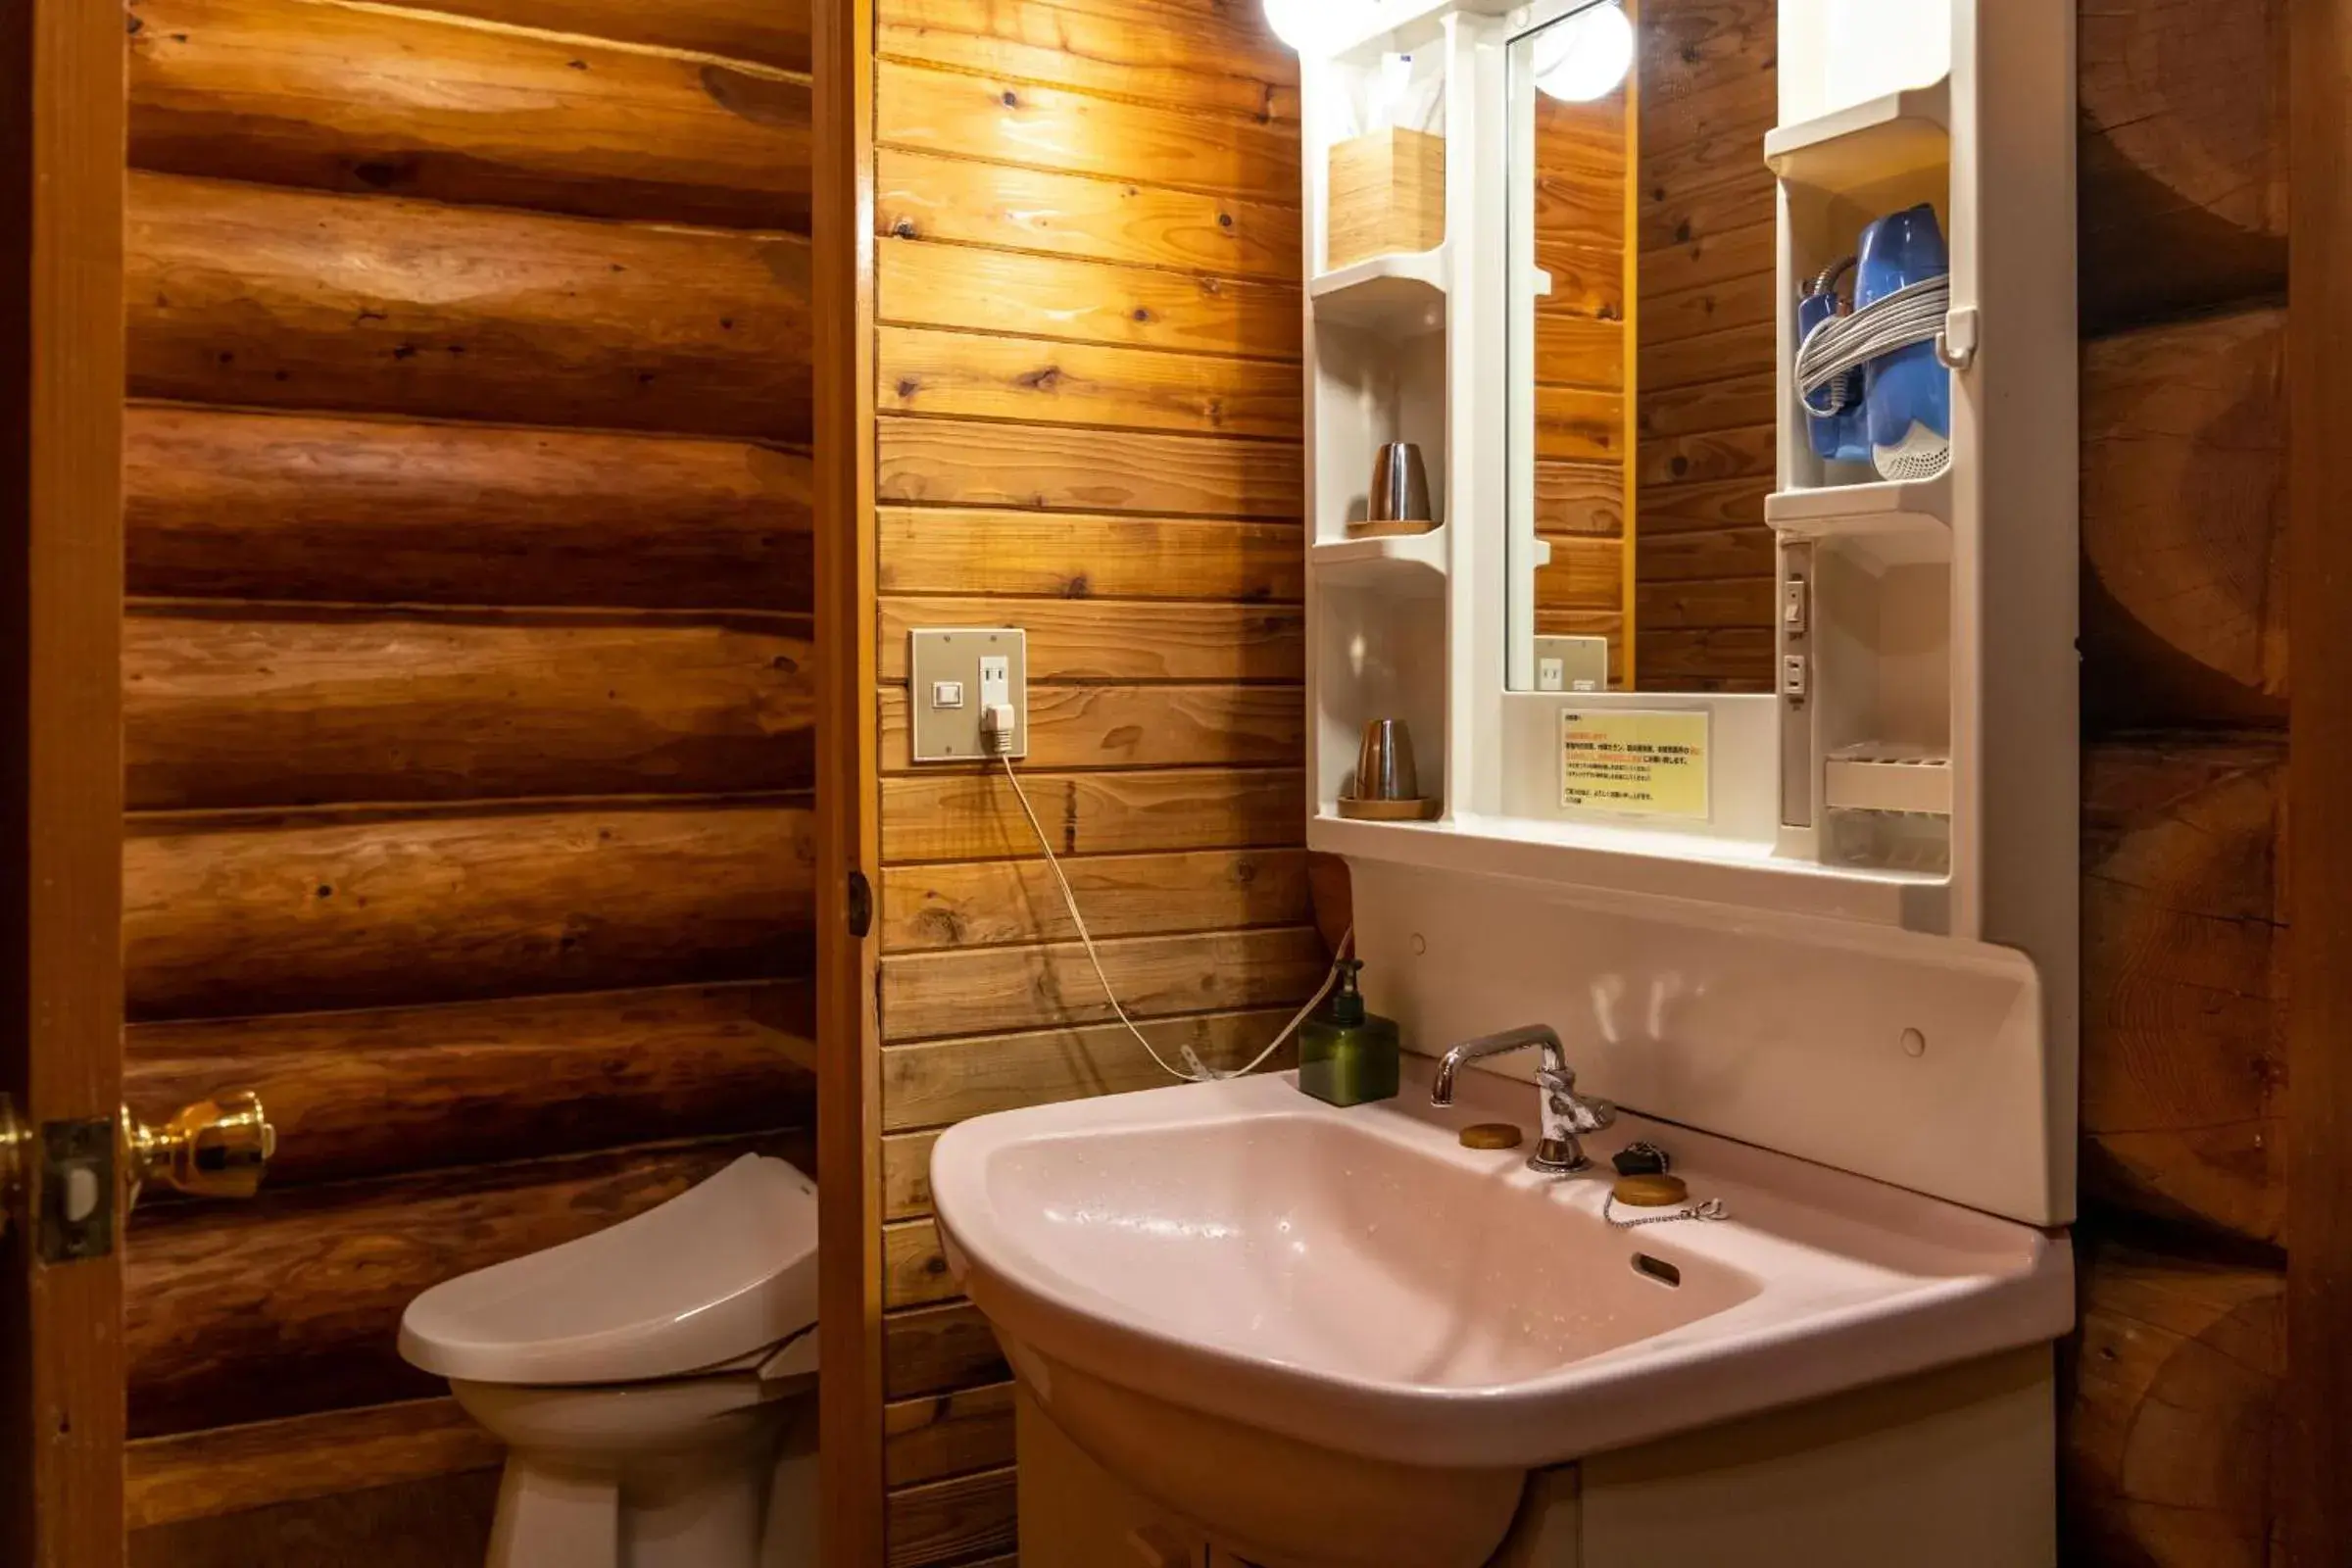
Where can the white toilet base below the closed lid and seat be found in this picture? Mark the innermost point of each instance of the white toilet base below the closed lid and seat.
(704, 1473)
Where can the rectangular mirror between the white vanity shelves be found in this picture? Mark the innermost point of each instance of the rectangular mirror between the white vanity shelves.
(1641, 356)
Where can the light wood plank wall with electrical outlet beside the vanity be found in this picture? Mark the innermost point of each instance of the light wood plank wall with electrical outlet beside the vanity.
(1090, 427)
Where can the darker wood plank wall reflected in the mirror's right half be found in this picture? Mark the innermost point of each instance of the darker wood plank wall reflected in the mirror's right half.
(1704, 572)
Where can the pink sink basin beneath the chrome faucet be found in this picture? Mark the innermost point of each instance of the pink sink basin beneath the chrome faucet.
(1344, 1339)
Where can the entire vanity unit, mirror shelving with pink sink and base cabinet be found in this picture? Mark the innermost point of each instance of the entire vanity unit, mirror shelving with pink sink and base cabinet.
(1819, 934)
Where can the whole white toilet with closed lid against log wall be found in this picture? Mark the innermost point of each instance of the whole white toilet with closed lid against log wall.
(655, 1383)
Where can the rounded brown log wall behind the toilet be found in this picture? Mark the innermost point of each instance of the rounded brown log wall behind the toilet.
(467, 695)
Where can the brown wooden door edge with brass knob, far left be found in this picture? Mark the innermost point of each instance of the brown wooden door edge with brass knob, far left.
(60, 760)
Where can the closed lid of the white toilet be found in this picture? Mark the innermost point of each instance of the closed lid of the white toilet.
(709, 1278)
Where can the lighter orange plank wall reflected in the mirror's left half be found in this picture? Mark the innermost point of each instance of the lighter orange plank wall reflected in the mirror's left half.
(1584, 417)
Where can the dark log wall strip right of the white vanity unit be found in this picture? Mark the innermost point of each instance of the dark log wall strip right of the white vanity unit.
(2177, 1369)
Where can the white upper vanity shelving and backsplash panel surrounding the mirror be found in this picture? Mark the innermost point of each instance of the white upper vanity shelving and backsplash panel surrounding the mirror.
(1845, 920)
